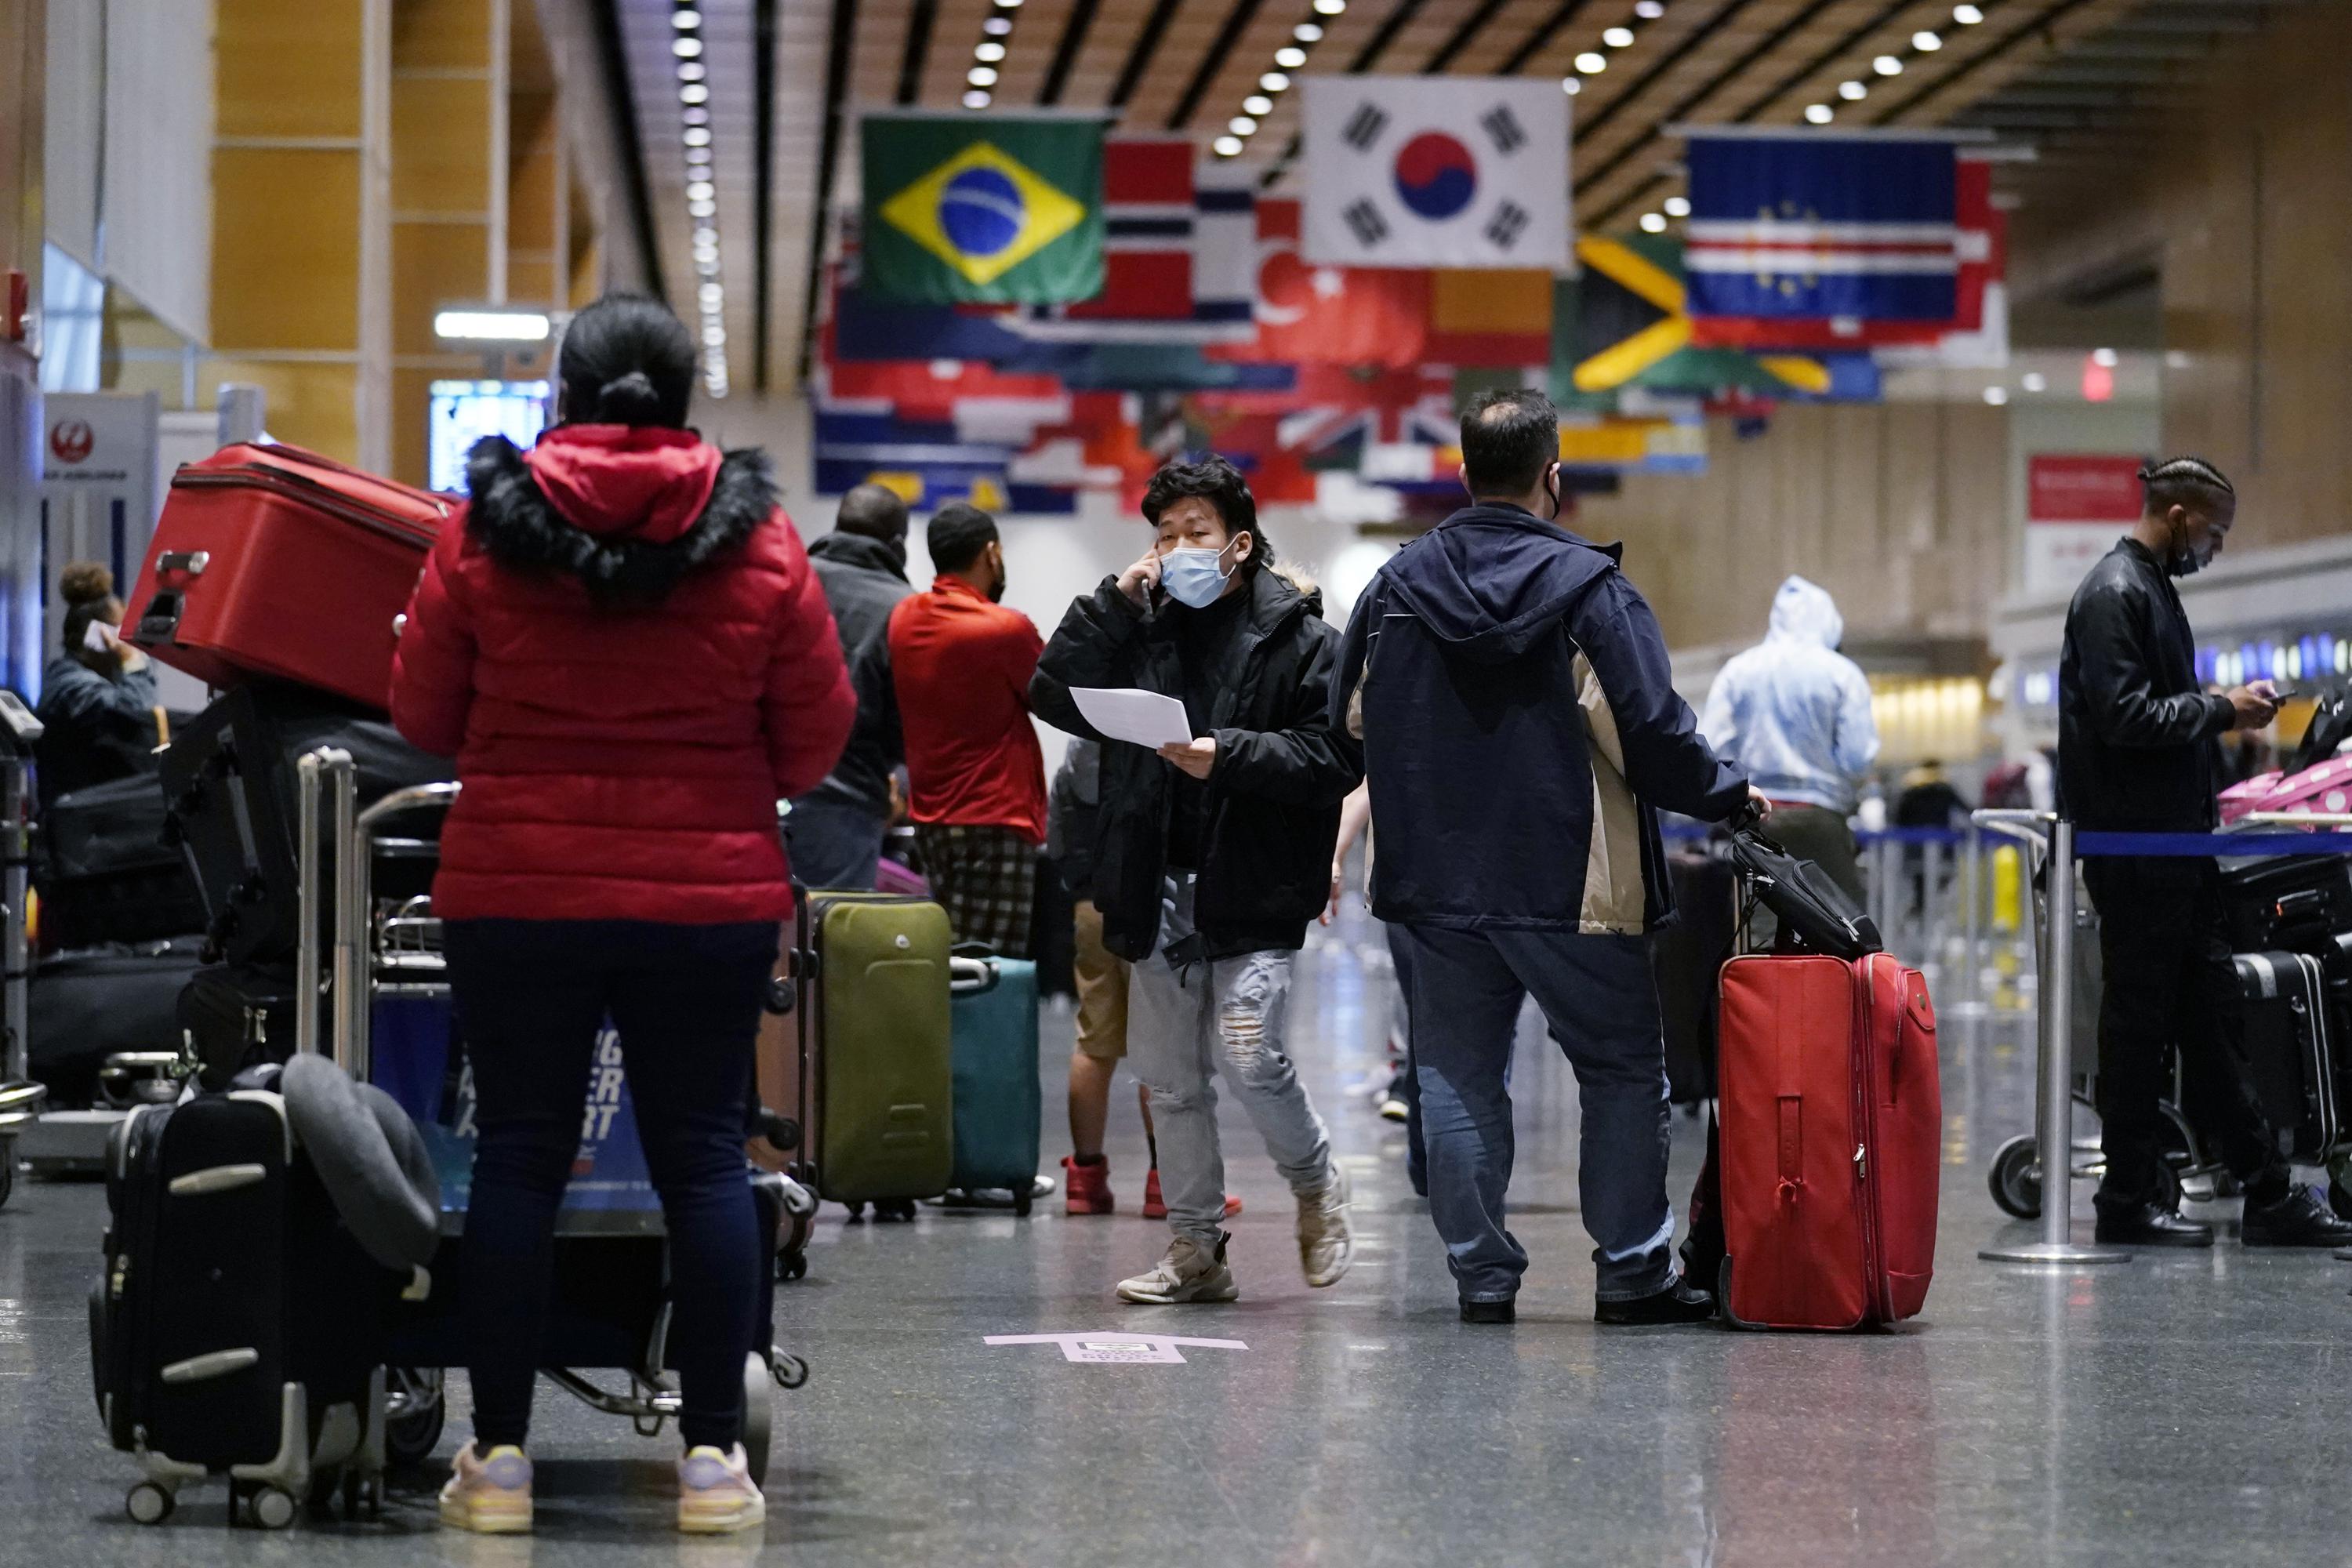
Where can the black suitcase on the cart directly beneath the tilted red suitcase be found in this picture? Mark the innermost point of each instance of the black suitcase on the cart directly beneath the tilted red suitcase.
(229, 786)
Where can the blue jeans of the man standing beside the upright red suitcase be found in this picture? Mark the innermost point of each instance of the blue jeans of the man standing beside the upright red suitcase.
(1603, 1010)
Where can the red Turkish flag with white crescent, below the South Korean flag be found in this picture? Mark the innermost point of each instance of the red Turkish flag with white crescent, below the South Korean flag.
(1330, 314)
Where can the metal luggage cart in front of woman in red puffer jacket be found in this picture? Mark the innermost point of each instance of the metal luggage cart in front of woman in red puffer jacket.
(613, 1304)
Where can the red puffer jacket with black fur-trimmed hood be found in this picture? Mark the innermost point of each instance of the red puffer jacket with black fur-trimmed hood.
(629, 655)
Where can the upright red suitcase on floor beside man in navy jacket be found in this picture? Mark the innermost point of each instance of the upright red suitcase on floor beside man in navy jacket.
(1831, 1139)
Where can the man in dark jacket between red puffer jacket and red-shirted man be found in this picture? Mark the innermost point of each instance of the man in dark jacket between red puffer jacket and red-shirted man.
(862, 568)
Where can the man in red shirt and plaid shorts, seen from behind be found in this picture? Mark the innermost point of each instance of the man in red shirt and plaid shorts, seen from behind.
(961, 669)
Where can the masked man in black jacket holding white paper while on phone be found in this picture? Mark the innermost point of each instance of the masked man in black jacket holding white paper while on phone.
(1212, 857)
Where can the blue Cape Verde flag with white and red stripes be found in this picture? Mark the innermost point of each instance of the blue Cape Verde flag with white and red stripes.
(1822, 227)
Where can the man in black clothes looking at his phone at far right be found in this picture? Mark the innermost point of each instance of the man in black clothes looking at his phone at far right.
(2137, 753)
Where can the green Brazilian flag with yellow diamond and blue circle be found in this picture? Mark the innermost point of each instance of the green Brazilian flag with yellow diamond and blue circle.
(982, 208)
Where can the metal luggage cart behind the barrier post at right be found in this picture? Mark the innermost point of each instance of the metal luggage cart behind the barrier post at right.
(2014, 1174)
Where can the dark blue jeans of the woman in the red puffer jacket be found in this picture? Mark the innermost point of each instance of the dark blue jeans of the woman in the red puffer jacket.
(686, 1000)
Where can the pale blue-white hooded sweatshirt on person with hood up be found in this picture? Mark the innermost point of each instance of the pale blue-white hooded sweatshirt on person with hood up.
(1796, 711)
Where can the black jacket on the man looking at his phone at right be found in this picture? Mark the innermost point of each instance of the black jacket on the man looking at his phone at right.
(2137, 737)
